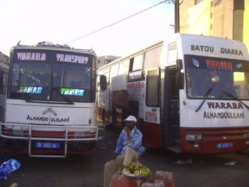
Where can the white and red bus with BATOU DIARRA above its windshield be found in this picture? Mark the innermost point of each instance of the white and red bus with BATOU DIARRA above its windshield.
(190, 93)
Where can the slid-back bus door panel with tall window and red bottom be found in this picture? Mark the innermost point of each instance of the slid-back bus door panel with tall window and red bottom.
(151, 126)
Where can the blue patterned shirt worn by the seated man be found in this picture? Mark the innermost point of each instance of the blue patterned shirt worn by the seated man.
(135, 142)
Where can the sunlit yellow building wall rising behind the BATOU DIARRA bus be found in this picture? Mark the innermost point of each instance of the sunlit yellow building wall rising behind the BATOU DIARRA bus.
(222, 18)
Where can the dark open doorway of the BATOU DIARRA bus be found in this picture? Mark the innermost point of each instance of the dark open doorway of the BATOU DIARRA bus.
(171, 118)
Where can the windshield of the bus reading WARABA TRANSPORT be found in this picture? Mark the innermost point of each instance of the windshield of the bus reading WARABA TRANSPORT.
(52, 76)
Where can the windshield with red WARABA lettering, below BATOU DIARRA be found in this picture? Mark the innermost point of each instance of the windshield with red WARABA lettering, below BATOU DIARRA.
(216, 78)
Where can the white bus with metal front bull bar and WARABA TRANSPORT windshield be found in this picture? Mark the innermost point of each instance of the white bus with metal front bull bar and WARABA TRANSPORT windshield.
(50, 104)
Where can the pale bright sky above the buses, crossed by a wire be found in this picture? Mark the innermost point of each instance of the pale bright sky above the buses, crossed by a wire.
(71, 22)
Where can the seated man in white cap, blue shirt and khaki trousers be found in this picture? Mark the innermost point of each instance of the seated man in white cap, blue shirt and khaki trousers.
(128, 149)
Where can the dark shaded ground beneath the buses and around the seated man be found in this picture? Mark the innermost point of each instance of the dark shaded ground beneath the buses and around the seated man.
(189, 170)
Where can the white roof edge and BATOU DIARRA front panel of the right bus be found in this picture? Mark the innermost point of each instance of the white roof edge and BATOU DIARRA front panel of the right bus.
(197, 45)
